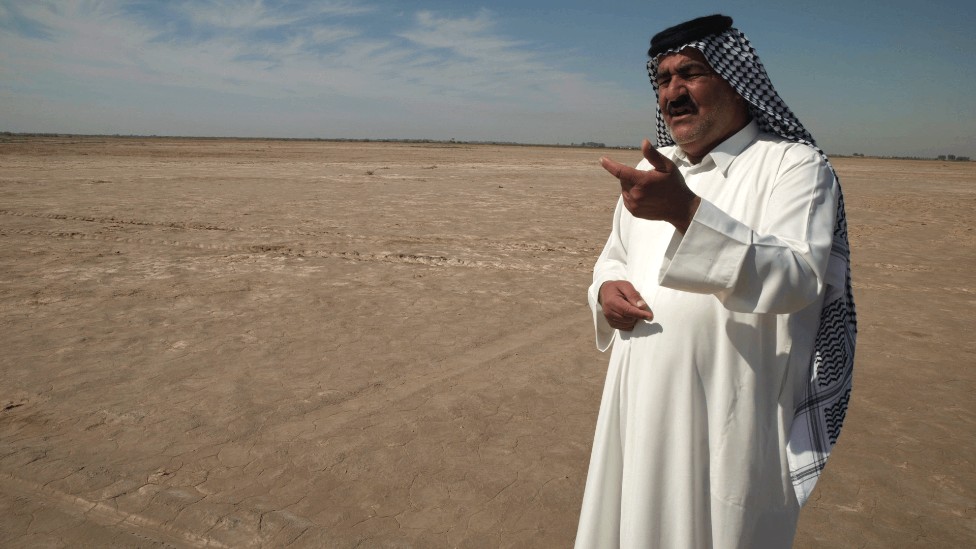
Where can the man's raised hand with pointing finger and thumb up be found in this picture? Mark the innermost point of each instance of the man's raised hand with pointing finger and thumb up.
(658, 194)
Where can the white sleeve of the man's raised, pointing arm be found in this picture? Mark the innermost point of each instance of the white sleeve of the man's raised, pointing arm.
(778, 267)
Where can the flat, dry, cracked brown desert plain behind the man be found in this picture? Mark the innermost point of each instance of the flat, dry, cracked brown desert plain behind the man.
(242, 343)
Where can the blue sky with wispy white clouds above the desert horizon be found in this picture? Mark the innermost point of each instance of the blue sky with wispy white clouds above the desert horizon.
(873, 77)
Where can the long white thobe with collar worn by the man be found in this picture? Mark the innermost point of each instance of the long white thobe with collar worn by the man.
(690, 444)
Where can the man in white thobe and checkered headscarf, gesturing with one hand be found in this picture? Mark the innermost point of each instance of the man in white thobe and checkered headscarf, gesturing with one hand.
(725, 284)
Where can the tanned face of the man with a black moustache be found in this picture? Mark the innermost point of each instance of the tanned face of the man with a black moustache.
(700, 108)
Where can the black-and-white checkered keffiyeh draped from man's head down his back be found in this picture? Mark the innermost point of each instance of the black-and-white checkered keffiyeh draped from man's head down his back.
(818, 417)
